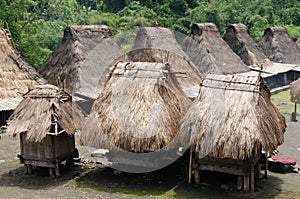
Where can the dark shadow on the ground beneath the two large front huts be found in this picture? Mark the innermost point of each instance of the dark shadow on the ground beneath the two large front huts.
(172, 181)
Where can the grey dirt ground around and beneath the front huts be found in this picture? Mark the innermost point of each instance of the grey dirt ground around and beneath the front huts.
(89, 179)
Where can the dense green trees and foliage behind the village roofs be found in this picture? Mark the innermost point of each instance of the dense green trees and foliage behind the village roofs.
(37, 25)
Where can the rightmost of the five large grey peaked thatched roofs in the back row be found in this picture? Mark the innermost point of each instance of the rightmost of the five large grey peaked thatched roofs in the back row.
(279, 47)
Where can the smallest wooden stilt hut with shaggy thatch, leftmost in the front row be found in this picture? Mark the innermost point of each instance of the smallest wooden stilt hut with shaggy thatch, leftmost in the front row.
(46, 121)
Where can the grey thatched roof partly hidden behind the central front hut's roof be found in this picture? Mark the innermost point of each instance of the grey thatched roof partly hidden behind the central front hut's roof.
(157, 44)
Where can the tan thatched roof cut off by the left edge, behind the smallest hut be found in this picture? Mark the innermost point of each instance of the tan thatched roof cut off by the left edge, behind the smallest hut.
(16, 76)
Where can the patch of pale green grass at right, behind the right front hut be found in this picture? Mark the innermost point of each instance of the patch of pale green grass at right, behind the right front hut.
(283, 103)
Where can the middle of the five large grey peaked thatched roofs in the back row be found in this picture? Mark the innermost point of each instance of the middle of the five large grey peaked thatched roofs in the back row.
(210, 53)
